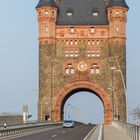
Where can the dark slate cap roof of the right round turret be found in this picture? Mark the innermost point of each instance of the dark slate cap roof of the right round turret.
(118, 3)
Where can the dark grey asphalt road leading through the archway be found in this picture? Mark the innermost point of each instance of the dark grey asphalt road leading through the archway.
(77, 133)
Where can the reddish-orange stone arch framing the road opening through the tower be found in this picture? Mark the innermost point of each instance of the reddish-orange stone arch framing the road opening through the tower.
(71, 88)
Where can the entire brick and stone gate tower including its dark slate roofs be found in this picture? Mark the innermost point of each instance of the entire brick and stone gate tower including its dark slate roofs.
(82, 47)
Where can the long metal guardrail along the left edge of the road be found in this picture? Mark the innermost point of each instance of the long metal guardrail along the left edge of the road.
(25, 128)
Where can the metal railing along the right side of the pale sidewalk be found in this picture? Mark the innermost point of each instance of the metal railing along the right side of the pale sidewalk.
(130, 130)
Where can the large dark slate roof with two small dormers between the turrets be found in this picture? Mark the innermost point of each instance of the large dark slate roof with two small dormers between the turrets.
(82, 12)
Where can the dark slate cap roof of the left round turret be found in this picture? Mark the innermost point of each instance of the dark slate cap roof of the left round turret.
(46, 3)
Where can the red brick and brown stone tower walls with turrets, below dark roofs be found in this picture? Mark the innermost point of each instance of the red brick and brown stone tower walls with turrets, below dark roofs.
(64, 47)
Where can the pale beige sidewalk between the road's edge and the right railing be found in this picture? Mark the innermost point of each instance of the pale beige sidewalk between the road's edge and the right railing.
(112, 133)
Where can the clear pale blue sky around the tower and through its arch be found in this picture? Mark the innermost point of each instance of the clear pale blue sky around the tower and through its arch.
(19, 62)
